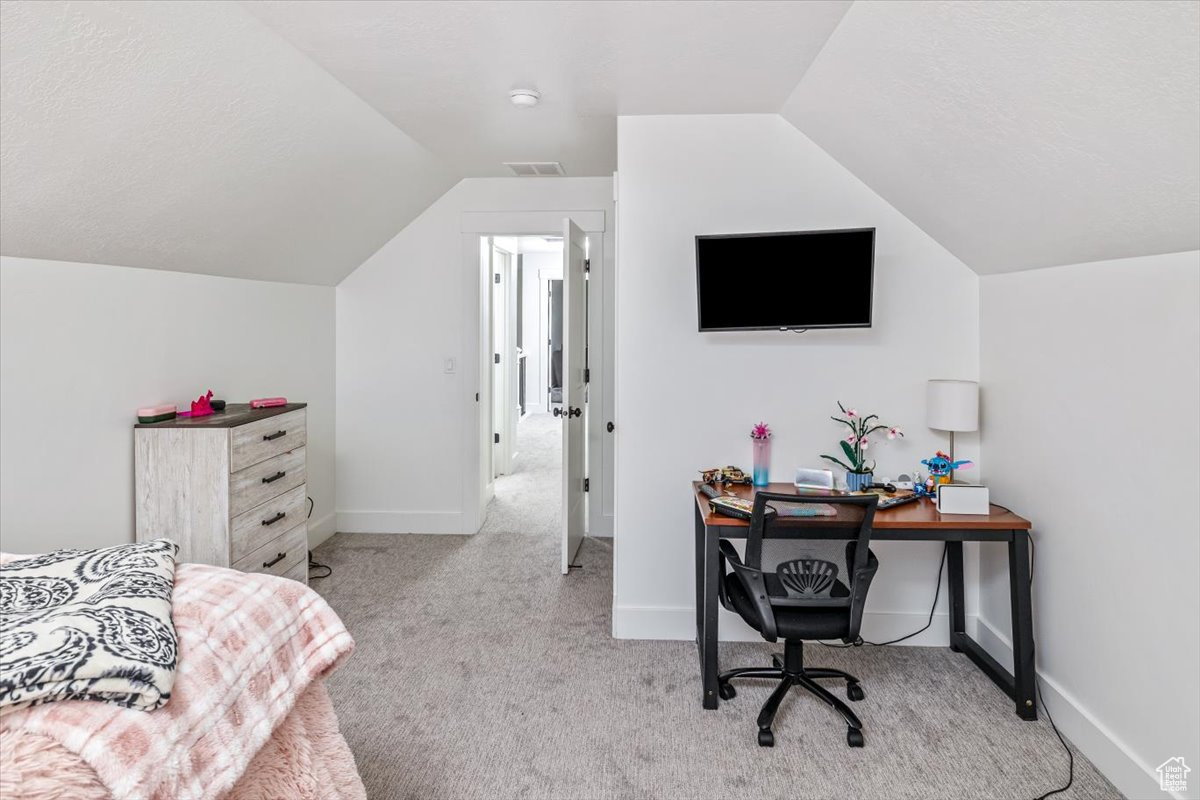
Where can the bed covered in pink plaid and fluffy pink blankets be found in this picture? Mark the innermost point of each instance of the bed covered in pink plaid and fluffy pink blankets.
(249, 717)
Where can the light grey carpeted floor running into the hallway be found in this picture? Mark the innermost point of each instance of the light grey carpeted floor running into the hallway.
(482, 672)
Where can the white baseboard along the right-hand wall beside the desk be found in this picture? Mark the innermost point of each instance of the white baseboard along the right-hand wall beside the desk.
(1131, 775)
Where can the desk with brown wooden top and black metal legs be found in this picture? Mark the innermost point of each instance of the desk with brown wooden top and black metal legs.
(915, 522)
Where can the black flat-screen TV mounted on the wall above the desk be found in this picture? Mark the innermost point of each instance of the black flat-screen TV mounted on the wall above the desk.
(813, 279)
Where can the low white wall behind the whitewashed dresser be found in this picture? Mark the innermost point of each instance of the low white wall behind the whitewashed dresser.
(85, 346)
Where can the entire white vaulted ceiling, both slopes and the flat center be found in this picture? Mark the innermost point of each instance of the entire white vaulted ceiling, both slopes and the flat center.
(289, 141)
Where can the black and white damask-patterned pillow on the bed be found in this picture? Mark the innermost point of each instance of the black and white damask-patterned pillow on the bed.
(92, 625)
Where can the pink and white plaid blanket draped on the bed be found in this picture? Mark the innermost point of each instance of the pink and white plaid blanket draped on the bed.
(250, 646)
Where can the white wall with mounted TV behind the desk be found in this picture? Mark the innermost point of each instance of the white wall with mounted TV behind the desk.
(687, 400)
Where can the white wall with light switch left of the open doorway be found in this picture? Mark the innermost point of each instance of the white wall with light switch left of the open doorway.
(401, 422)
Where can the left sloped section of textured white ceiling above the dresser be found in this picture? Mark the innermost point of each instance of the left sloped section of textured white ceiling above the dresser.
(189, 137)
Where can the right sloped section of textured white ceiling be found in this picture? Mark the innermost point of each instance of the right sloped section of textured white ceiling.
(1019, 135)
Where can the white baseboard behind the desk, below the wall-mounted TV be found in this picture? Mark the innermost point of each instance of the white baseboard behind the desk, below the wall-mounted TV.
(680, 623)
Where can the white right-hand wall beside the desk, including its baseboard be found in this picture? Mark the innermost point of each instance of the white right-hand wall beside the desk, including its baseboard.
(1090, 424)
